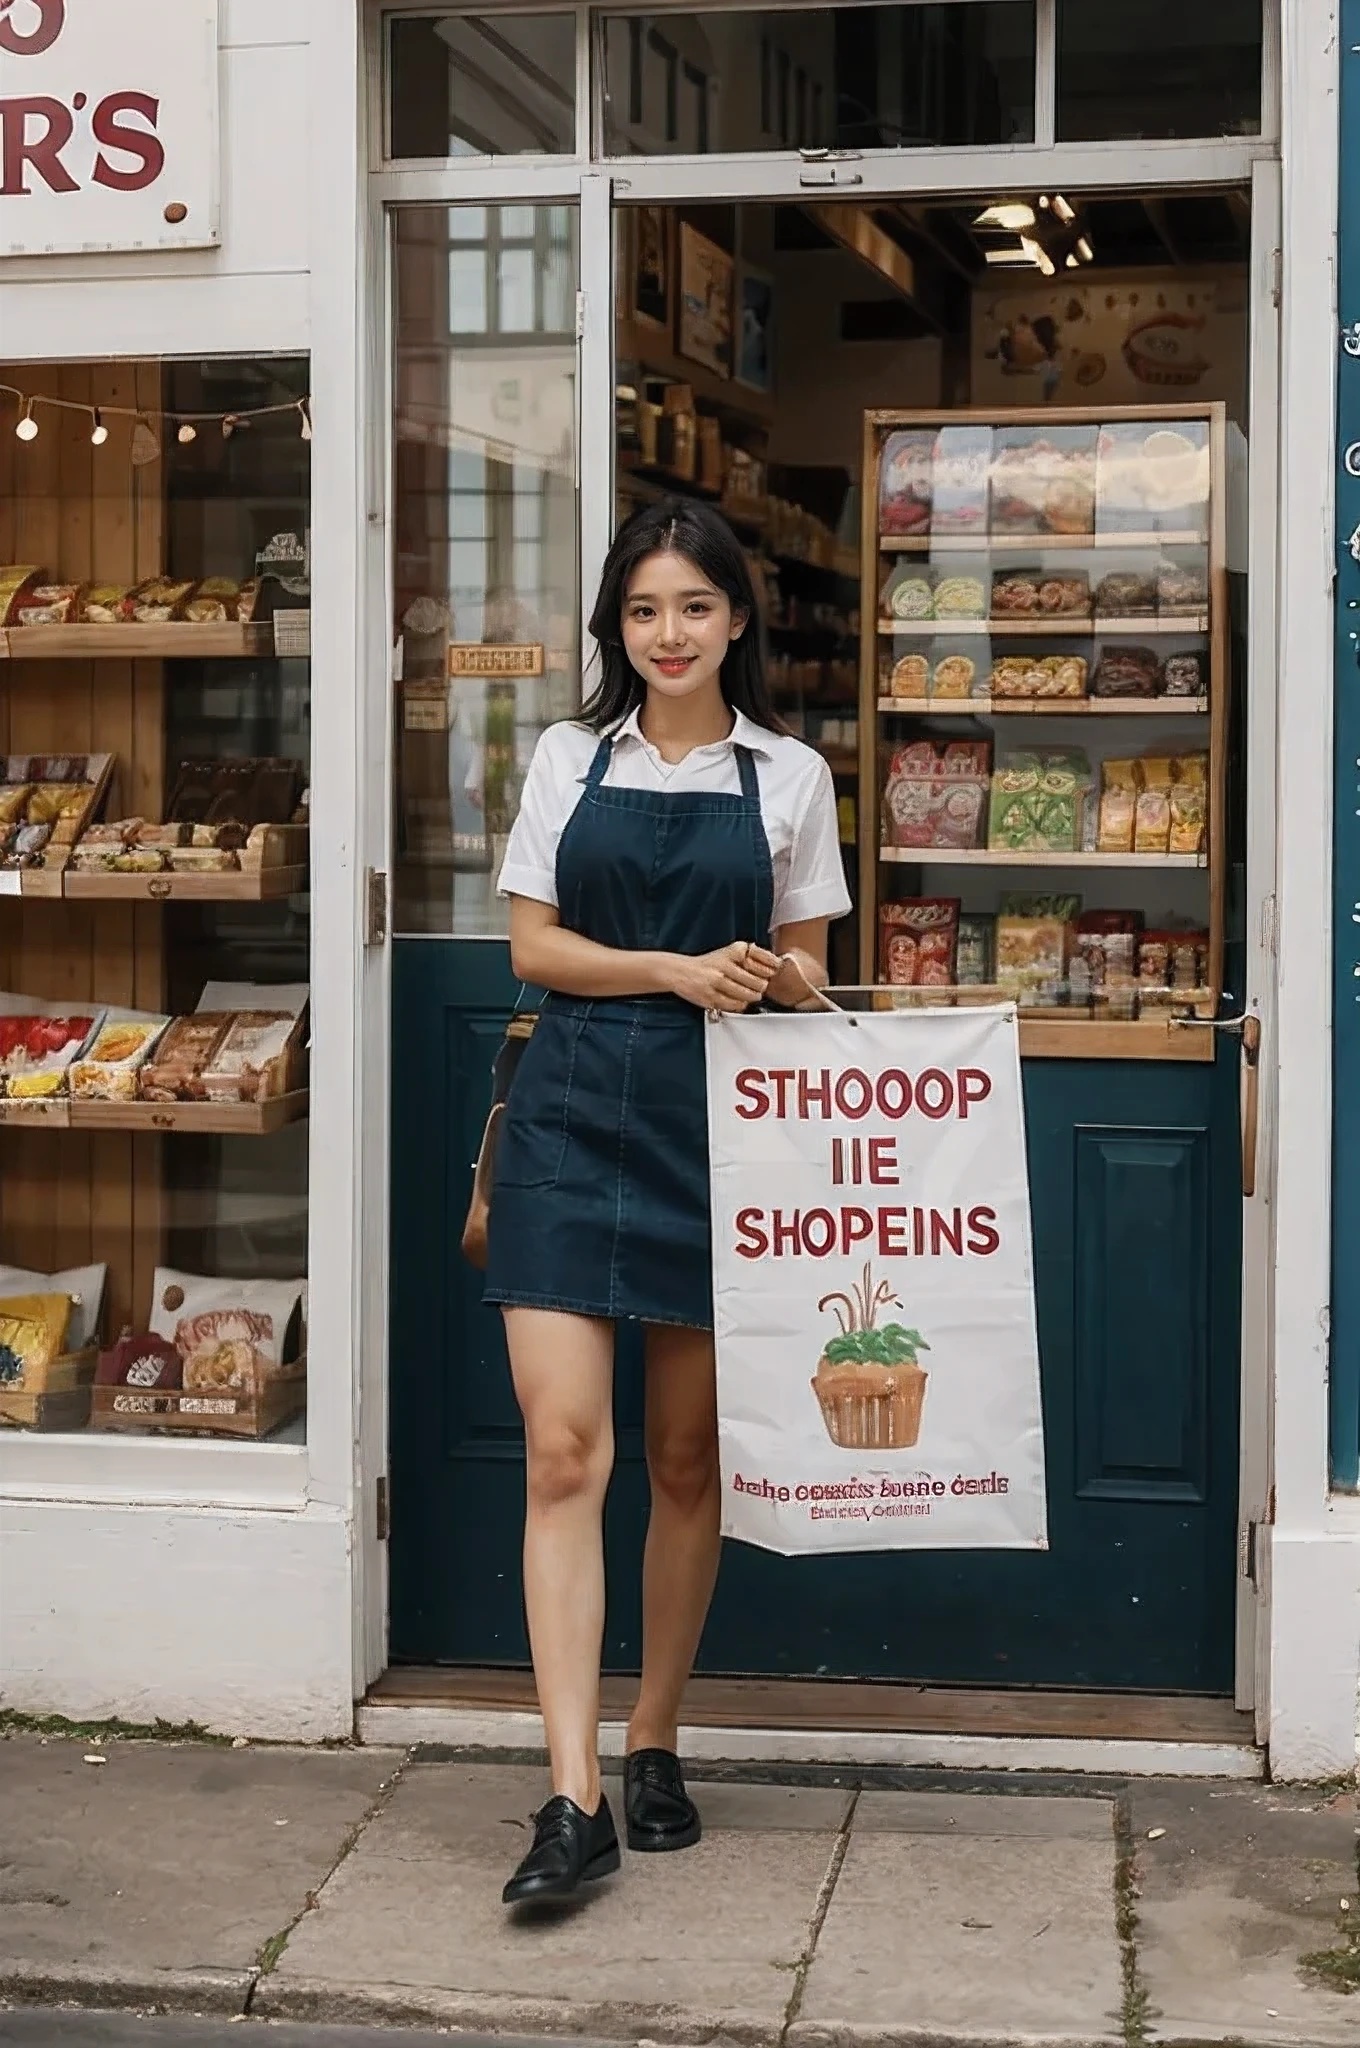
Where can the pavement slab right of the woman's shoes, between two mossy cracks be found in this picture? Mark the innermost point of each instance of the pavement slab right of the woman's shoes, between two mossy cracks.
(970, 1920)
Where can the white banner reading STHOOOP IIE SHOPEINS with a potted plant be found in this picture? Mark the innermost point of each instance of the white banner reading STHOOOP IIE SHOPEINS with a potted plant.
(878, 1365)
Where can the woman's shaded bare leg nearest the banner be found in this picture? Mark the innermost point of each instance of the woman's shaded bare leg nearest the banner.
(683, 1535)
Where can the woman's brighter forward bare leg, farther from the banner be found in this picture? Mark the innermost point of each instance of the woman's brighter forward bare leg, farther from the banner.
(564, 1369)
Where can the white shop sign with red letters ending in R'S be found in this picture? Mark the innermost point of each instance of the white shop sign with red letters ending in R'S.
(108, 126)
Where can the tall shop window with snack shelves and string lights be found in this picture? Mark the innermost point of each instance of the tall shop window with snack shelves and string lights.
(155, 898)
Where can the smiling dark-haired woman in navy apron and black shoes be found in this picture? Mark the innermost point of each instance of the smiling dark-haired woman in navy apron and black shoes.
(677, 853)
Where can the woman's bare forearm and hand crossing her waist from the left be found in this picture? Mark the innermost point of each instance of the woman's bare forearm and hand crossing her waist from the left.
(552, 957)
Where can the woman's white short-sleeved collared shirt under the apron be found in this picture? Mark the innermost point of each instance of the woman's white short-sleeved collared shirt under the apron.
(798, 806)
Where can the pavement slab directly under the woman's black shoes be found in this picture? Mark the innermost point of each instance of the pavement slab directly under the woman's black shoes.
(677, 1947)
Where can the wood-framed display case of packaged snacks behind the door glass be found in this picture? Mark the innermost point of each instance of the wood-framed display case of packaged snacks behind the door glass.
(1044, 722)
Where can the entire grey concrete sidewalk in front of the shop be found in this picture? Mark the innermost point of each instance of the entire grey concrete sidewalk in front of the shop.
(366, 1885)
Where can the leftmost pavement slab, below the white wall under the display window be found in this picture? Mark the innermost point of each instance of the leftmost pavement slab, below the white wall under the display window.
(167, 1869)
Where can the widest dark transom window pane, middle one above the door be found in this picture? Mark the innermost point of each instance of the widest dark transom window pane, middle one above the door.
(847, 79)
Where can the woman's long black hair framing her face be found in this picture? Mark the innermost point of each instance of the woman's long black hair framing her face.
(697, 531)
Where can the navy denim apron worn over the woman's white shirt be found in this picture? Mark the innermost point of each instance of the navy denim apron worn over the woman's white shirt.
(601, 1199)
